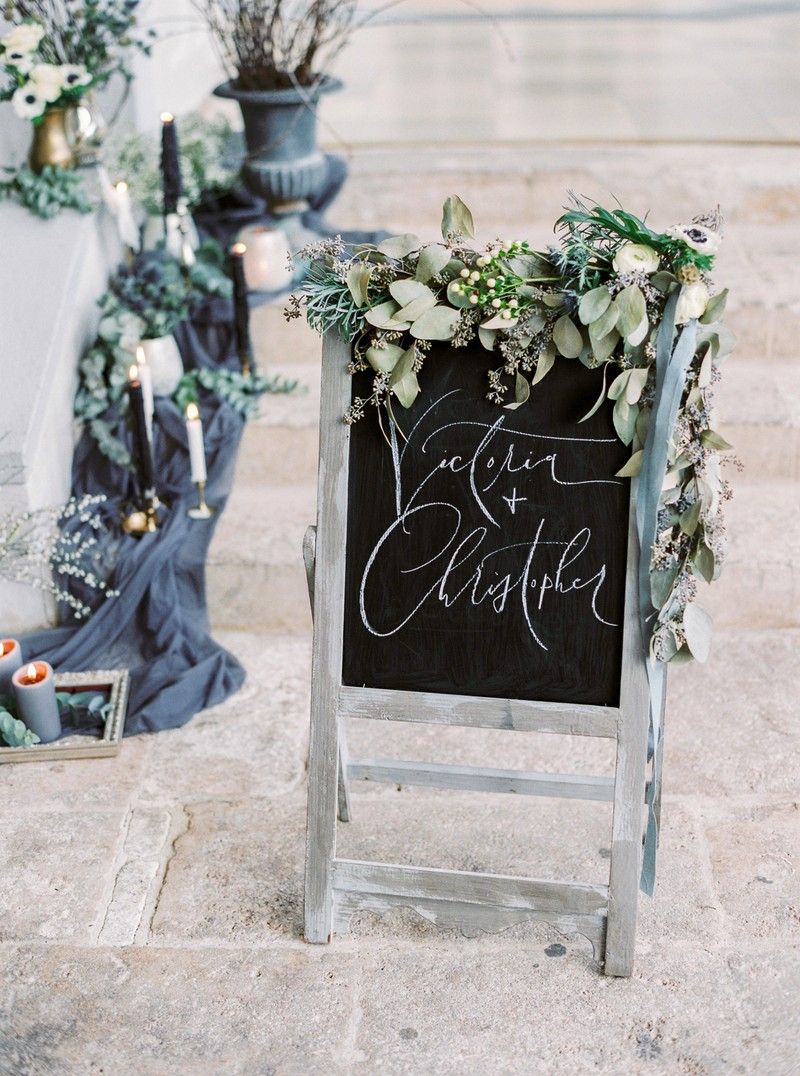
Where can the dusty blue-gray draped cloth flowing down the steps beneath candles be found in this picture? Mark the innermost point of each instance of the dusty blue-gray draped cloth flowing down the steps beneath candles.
(158, 627)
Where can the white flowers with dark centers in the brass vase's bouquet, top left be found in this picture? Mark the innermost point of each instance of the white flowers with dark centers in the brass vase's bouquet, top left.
(35, 86)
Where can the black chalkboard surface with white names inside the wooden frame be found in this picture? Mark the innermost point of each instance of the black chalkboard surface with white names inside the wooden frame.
(487, 555)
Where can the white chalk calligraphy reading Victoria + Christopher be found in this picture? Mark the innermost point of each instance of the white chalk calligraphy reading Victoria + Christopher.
(433, 553)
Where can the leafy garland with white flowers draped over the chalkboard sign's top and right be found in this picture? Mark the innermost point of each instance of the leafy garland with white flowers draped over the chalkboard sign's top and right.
(598, 298)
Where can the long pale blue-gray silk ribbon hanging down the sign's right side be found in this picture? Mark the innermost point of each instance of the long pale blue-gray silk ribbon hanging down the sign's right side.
(671, 369)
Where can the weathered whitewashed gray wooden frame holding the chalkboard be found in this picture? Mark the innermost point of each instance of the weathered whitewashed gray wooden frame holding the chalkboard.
(335, 888)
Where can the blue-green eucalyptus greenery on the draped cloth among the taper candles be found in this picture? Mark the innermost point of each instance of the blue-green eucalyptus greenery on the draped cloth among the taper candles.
(152, 300)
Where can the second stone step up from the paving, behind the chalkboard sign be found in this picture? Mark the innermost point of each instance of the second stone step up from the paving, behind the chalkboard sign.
(759, 407)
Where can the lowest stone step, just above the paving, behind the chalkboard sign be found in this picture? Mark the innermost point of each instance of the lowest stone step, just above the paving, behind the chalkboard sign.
(257, 578)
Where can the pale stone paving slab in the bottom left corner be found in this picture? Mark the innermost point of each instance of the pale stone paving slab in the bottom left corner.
(151, 1012)
